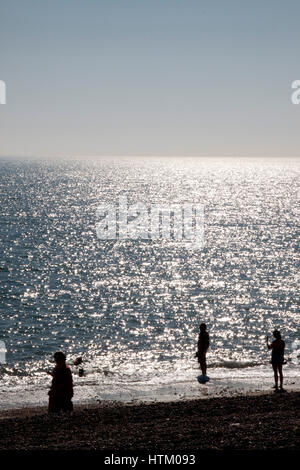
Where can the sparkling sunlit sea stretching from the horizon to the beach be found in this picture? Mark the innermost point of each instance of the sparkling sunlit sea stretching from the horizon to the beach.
(131, 308)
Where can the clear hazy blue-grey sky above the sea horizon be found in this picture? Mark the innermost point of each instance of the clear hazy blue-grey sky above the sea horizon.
(149, 77)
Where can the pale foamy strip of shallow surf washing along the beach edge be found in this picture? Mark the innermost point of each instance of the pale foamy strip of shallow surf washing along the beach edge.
(93, 389)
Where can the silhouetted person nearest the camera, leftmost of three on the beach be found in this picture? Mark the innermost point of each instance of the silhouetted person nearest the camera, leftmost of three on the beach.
(61, 391)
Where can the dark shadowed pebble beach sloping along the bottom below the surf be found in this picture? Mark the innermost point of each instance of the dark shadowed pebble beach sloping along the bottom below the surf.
(262, 422)
